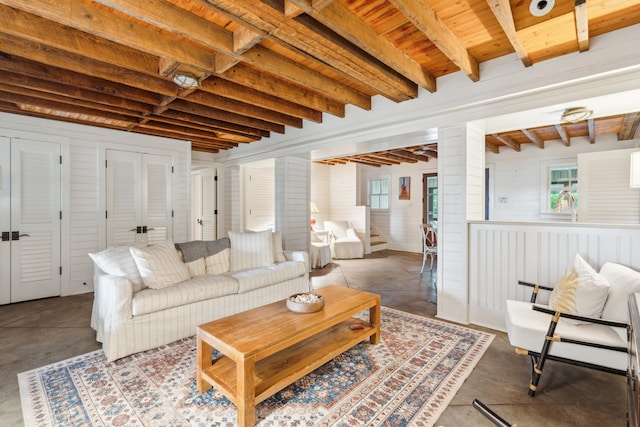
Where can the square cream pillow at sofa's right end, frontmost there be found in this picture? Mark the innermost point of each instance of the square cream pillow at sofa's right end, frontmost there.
(251, 250)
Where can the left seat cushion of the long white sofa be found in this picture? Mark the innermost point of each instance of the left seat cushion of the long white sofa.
(197, 289)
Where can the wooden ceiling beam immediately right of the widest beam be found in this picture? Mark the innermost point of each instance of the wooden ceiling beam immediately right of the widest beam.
(345, 23)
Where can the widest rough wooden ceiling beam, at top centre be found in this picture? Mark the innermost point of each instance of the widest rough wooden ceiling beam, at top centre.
(319, 45)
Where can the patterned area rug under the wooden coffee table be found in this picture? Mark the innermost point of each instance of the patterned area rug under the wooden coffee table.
(407, 379)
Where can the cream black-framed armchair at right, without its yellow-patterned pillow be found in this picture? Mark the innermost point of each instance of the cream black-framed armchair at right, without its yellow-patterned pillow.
(600, 343)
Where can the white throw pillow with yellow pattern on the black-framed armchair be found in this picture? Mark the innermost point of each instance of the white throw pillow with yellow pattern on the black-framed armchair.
(580, 291)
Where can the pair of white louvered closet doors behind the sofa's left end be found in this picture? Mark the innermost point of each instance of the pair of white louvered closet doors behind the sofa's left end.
(139, 198)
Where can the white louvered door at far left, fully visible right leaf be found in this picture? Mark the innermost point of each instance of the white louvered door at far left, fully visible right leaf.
(35, 219)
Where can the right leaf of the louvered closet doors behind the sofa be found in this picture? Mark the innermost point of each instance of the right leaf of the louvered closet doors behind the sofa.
(157, 197)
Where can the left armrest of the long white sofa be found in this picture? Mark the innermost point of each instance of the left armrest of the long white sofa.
(112, 303)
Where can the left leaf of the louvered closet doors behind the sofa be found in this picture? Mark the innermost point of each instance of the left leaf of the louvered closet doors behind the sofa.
(124, 197)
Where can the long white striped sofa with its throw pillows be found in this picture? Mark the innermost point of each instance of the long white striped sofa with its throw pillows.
(132, 315)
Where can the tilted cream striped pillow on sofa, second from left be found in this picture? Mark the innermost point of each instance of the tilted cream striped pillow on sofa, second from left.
(159, 265)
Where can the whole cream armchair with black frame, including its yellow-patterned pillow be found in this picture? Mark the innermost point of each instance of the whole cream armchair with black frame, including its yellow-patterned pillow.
(584, 324)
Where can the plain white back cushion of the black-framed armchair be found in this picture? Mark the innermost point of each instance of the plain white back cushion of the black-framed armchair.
(623, 281)
